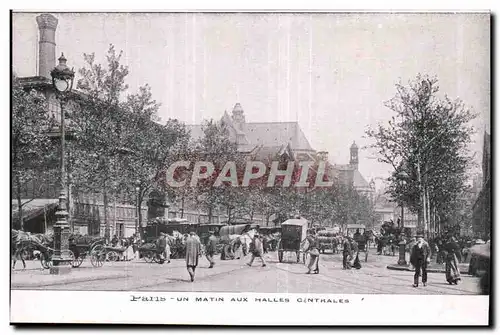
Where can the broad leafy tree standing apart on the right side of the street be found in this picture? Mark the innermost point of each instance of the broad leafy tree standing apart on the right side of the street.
(426, 141)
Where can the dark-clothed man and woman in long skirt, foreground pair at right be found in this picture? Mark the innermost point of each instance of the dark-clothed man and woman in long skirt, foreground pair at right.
(420, 258)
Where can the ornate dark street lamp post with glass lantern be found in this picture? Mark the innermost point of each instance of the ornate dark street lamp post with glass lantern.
(62, 80)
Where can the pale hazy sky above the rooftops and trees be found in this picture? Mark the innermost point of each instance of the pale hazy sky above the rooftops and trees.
(331, 72)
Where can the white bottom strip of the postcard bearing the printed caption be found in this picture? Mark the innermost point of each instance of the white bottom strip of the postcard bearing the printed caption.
(180, 308)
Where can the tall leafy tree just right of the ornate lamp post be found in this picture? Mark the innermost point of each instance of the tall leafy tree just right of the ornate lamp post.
(97, 124)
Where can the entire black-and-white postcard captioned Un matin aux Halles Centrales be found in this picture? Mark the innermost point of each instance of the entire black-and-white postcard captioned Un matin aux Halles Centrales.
(250, 168)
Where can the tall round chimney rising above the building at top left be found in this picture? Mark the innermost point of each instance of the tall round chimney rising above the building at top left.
(47, 25)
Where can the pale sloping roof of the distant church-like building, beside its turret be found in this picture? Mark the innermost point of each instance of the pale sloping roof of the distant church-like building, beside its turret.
(268, 134)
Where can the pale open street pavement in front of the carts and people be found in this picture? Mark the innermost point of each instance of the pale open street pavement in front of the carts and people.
(236, 276)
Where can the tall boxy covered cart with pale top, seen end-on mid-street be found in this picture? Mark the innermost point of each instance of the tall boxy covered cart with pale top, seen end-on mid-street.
(293, 233)
